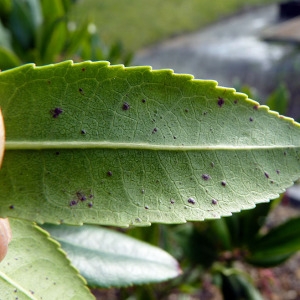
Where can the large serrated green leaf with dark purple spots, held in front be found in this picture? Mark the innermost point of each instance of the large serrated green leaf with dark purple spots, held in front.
(104, 144)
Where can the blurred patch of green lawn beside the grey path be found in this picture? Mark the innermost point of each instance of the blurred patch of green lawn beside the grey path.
(139, 23)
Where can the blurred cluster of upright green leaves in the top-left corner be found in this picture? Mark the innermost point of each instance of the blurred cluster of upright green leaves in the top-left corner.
(43, 32)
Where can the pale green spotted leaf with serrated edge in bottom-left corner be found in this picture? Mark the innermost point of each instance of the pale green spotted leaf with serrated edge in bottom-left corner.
(35, 267)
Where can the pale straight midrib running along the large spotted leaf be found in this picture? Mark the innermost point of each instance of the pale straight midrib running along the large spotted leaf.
(28, 145)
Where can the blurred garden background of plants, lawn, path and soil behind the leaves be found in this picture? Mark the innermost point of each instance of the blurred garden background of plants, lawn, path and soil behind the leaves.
(250, 45)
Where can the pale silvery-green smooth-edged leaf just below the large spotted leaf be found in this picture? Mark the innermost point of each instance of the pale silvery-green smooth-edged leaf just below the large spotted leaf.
(107, 258)
